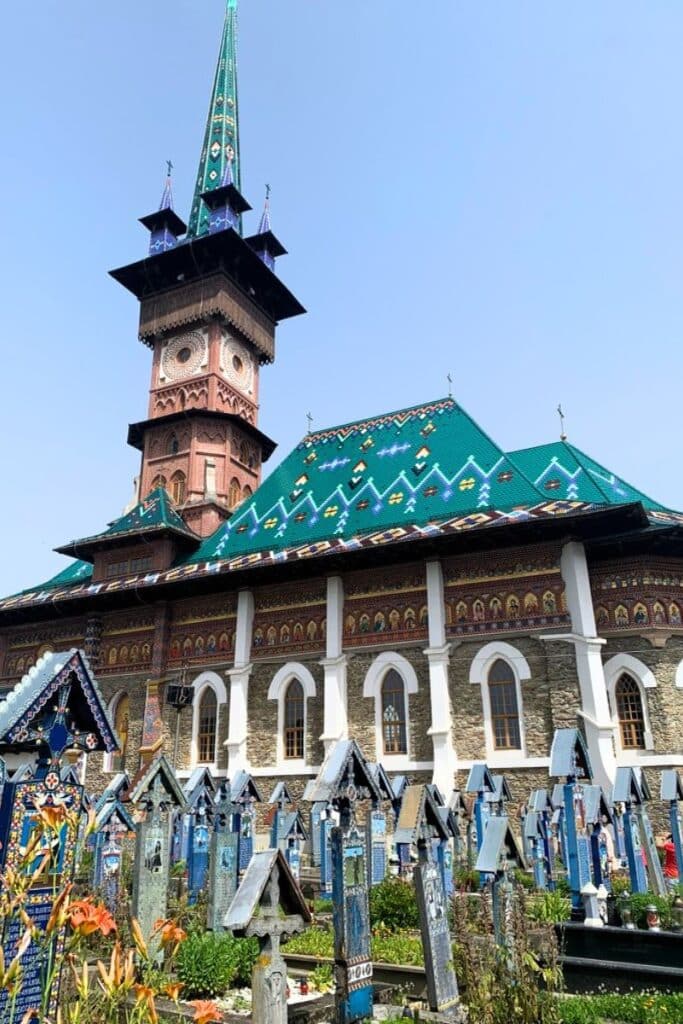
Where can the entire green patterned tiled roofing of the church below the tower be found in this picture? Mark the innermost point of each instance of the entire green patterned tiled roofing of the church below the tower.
(428, 471)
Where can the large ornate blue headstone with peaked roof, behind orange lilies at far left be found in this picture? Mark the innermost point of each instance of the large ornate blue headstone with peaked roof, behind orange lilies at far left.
(57, 707)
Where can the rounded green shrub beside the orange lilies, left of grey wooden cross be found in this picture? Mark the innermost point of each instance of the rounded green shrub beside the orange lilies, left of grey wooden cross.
(207, 964)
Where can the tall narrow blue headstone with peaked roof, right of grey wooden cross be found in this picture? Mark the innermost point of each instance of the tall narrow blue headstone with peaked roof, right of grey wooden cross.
(346, 779)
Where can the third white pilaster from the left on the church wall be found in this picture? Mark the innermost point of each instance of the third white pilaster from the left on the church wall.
(438, 656)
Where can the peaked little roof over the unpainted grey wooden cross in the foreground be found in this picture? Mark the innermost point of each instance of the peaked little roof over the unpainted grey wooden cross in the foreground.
(248, 899)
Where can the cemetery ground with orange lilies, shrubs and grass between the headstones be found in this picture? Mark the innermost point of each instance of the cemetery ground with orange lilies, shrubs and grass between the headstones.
(113, 976)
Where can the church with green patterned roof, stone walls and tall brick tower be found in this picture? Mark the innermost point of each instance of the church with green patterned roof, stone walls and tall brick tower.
(403, 580)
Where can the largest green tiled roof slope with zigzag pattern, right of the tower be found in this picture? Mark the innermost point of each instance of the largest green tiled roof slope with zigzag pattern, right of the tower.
(417, 465)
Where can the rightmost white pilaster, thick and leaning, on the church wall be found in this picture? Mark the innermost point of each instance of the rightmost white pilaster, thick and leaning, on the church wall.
(595, 707)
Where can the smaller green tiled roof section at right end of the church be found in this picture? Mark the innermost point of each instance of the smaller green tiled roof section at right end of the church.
(564, 472)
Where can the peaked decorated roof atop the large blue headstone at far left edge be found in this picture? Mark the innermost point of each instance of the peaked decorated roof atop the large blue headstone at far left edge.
(29, 720)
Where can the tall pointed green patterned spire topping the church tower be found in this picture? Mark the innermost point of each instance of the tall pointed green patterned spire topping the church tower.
(222, 140)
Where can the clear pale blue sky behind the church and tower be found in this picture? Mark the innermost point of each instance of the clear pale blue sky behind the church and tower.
(488, 189)
